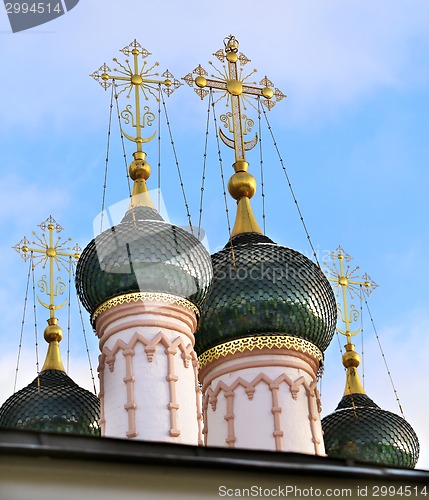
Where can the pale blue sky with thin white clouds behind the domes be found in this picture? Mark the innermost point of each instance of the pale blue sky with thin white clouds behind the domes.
(352, 133)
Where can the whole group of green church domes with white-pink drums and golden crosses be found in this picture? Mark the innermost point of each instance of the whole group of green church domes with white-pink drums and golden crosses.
(252, 289)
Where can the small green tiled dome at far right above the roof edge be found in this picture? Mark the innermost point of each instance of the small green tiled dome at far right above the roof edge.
(360, 430)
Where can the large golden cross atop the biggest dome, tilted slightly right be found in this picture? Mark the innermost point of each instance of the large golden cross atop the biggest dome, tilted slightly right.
(234, 87)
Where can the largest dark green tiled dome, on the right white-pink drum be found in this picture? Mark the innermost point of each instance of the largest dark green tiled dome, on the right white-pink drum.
(261, 288)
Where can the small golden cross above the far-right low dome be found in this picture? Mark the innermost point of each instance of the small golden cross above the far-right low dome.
(346, 280)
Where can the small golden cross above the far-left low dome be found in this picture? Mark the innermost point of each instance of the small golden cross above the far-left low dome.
(44, 250)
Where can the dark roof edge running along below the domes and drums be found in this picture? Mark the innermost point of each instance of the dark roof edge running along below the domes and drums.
(72, 447)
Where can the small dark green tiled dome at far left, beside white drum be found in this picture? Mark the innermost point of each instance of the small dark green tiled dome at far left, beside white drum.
(52, 403)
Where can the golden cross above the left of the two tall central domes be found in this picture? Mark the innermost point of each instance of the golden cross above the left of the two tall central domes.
(139, 79)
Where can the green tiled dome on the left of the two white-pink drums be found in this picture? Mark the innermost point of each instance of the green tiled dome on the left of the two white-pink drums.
(143, 254)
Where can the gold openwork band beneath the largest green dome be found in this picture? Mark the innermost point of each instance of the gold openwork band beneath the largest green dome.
(260, 342)
